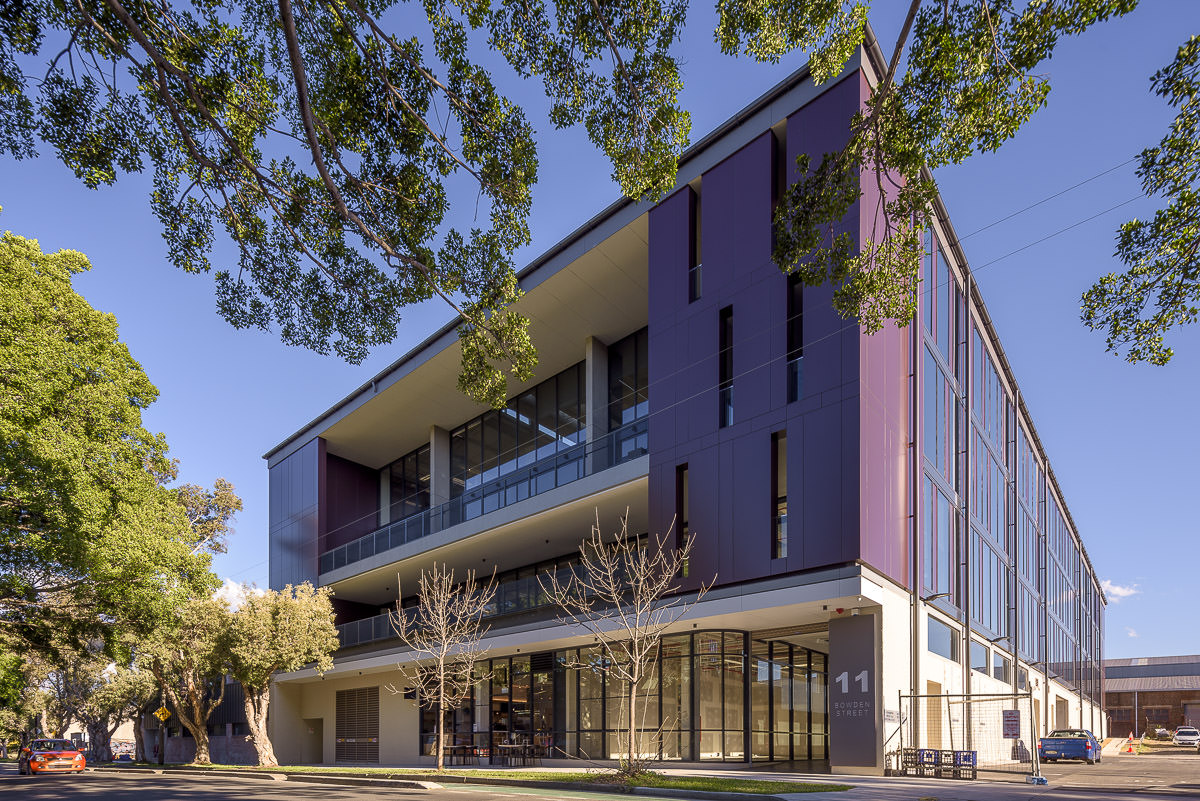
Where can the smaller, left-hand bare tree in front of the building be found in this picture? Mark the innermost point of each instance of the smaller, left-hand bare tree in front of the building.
(443, 634)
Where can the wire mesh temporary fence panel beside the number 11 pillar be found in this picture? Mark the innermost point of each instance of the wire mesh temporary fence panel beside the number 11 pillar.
(964, 736)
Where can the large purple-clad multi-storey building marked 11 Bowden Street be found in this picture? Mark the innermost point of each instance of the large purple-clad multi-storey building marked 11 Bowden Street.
(878, 511)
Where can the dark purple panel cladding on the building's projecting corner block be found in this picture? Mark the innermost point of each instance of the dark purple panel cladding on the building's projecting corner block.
(848, 431)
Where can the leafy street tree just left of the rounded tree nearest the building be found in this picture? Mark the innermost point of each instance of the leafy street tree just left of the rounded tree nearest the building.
(188, 658)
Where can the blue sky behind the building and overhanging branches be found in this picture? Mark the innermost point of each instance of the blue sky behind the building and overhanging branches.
(1121, 438)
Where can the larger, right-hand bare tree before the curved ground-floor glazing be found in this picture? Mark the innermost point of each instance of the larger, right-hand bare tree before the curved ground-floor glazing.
(625, 594)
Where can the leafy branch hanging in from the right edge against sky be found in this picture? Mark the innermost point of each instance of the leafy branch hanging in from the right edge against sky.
(1161, 290)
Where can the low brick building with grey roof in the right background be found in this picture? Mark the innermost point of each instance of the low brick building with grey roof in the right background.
(1153, 692)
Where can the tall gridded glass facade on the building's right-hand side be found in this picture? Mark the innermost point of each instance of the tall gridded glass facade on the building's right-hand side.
(993, 535)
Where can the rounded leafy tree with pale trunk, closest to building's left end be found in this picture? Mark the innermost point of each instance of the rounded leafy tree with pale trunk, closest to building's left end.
(278, 631)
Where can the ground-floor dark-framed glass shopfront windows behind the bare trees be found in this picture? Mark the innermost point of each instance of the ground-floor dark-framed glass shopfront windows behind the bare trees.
(711, 697)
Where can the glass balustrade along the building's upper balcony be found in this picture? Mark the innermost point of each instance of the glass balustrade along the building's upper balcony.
(585, 460)
